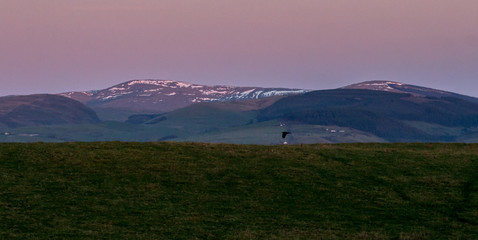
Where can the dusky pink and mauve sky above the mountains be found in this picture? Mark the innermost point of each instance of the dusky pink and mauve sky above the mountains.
(53, 46)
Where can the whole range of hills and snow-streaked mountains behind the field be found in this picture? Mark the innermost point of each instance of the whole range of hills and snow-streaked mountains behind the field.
(165, 110)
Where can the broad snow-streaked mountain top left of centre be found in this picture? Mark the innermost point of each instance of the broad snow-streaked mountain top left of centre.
(166, 95)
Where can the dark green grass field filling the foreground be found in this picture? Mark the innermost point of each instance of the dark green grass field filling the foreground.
(213, 191)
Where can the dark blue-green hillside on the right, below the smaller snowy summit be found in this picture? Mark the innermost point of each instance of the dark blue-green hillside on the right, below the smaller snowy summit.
(378, 112)
